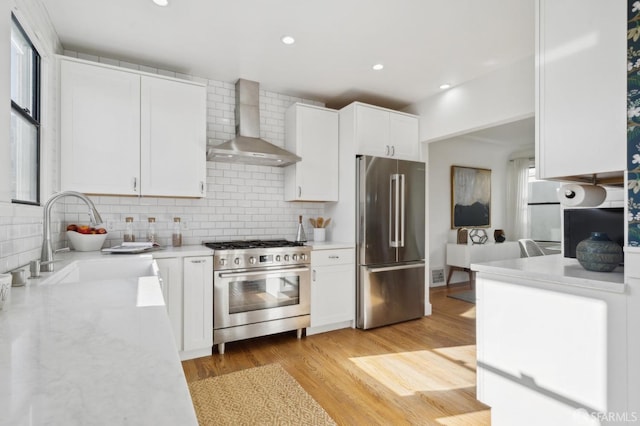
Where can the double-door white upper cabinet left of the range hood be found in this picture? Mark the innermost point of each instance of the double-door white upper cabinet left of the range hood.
(128, 133)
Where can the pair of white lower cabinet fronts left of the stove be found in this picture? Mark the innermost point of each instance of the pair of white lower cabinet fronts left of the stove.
(187, 287)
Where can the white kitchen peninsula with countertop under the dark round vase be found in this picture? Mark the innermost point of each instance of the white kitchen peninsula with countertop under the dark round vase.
(551, 342)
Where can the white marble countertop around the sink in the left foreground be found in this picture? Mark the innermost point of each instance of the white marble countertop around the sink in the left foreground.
(97, 352)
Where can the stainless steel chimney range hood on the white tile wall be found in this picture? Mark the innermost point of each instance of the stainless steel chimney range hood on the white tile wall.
(247, 147)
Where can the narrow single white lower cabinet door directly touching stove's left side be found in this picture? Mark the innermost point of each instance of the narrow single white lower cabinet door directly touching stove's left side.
(198, 303)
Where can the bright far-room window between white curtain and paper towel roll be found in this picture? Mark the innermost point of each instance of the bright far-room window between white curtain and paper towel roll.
(544, 209)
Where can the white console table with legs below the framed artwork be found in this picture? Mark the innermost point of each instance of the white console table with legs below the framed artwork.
(461, 256)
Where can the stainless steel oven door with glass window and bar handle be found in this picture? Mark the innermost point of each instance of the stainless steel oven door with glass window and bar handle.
(242, 298)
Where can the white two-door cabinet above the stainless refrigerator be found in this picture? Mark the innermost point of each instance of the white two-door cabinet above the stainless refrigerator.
(385, 133)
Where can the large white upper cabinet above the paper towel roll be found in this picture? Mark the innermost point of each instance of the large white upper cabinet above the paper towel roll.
(581, 87)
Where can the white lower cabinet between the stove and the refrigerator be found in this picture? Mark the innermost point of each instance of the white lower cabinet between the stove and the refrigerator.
(332, 290)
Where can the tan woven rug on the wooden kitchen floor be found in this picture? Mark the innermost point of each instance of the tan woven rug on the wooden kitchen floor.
(265, 395)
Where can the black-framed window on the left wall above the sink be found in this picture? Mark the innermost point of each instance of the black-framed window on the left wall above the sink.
(25, 118)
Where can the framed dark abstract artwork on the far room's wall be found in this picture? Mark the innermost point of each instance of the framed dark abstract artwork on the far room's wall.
(470, 197)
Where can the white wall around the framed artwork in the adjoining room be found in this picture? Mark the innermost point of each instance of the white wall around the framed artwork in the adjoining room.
(462, 152)
